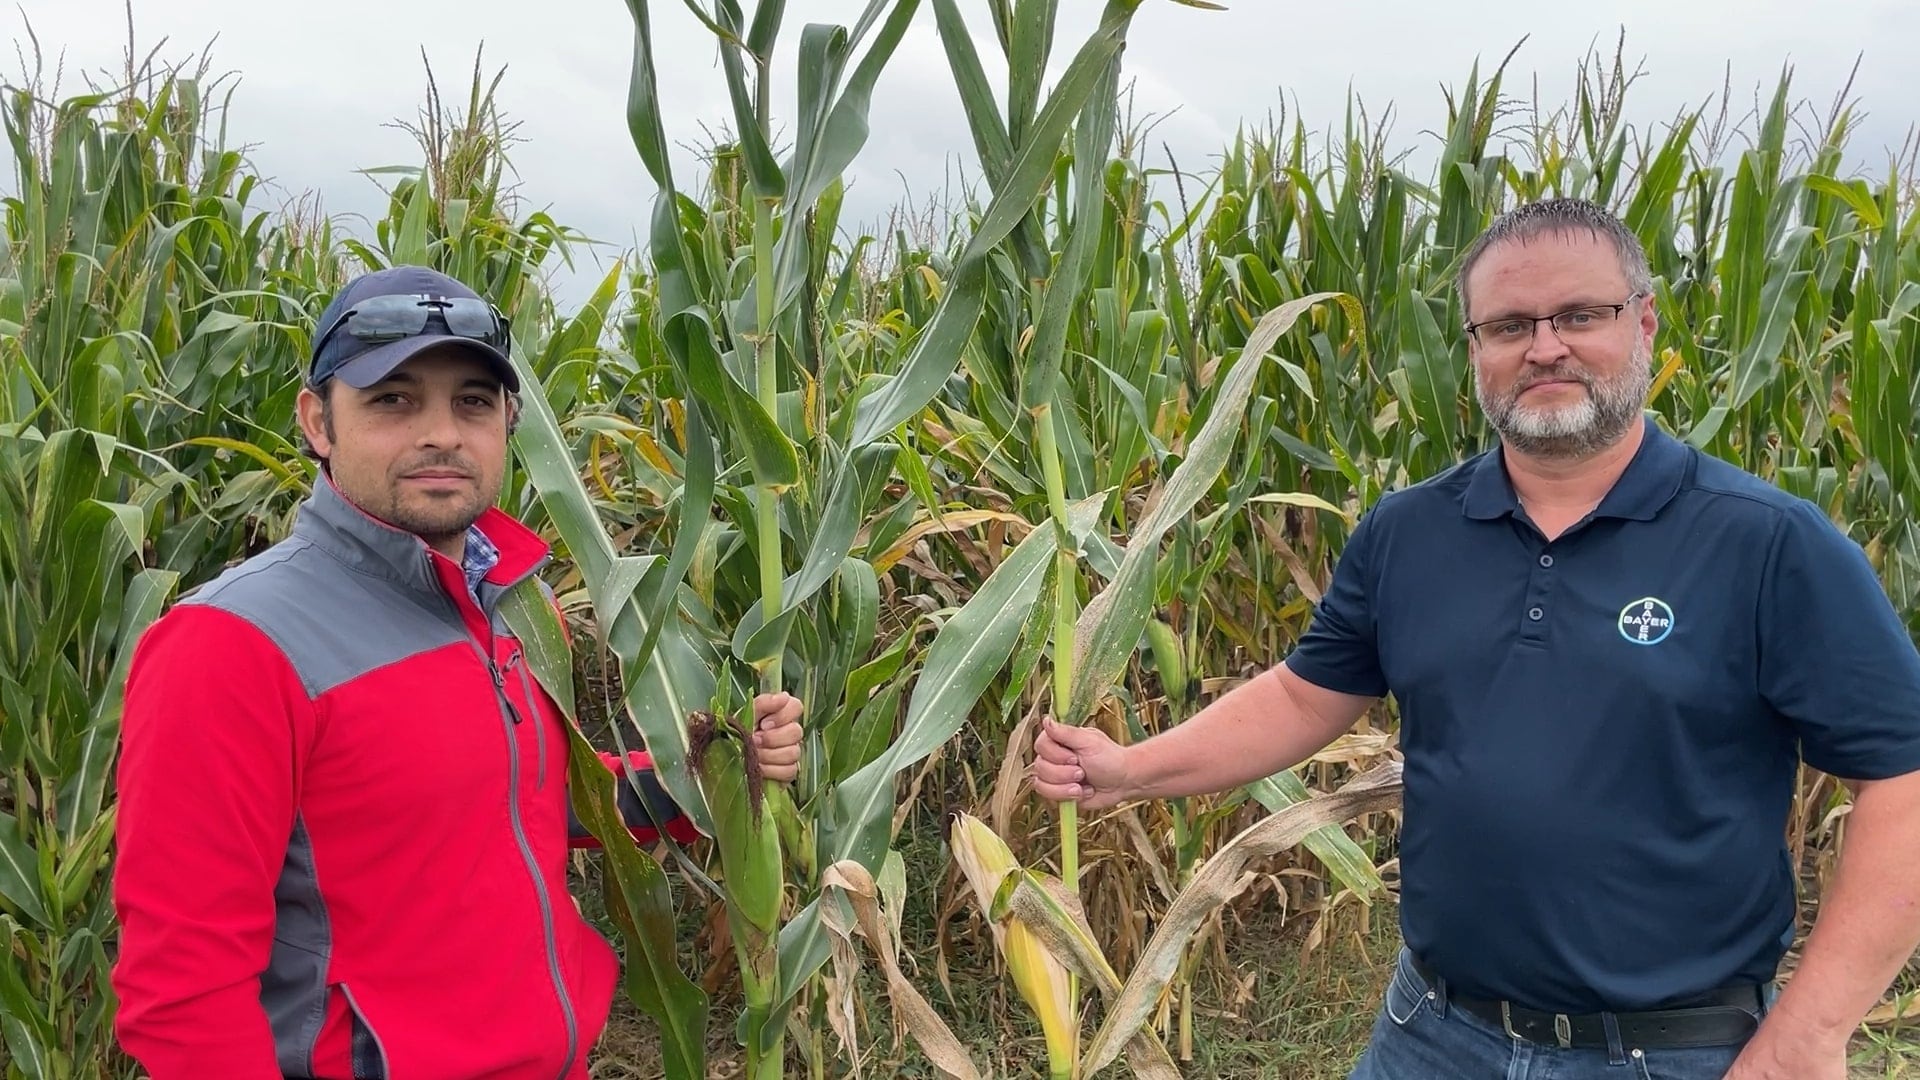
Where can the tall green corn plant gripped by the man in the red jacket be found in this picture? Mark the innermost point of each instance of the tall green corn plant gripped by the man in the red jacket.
(727, 331)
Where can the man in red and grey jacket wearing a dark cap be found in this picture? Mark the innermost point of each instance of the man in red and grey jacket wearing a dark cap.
(345, 822)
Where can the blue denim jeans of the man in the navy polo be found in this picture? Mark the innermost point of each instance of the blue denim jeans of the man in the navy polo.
(1422, 1037)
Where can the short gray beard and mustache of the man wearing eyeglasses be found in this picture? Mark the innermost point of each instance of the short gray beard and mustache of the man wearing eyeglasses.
(1581, 430)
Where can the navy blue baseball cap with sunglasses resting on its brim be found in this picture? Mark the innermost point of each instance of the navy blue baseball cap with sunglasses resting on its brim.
(381, 320)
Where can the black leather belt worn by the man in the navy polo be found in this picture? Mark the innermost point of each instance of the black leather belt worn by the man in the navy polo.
(1719, 1018)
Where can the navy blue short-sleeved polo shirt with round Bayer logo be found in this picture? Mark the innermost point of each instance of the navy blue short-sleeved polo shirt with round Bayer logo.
(1602, 733)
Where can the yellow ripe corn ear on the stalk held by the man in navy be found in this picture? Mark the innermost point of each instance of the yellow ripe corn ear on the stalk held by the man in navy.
(1042, 981)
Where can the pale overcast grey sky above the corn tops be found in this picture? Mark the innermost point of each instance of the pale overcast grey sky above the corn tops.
(322, 84)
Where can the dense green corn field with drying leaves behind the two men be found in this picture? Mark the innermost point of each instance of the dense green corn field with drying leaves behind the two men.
(1086, 447)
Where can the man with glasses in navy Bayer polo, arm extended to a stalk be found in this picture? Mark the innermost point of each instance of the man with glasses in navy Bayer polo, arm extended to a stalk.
(1610, 654)
